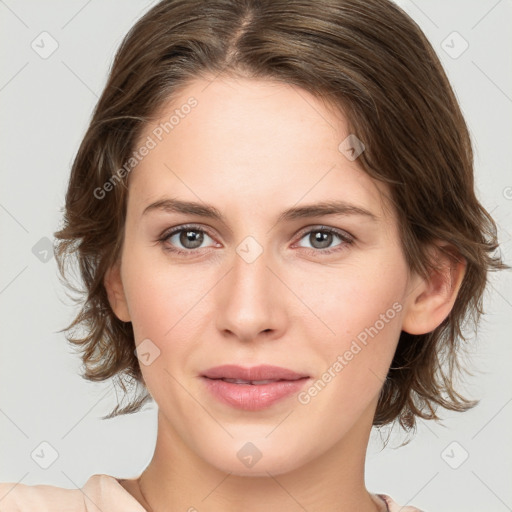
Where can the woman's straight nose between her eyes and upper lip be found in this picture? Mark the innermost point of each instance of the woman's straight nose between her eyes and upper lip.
(250, 299)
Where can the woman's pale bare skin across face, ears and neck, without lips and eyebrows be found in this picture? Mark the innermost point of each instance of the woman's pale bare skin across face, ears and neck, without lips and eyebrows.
(253, 149)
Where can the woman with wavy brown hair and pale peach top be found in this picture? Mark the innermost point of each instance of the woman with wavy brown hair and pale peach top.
(275, 220)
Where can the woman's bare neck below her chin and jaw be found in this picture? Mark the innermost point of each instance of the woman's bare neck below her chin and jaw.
(177, 479)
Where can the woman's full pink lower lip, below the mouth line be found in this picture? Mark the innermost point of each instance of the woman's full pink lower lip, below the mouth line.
(253, 397)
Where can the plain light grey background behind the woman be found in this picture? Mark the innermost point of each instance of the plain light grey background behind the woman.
(46, 105)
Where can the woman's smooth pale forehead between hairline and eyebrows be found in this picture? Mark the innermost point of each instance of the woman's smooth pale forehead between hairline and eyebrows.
(250, 142)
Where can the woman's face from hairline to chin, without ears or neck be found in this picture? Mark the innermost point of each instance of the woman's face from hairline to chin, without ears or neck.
(255, 285)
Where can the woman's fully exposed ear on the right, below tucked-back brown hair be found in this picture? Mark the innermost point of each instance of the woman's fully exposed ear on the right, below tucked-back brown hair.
(430, 300)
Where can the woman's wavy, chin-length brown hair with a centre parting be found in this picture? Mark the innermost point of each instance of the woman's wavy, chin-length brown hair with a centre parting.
(365, 57)
